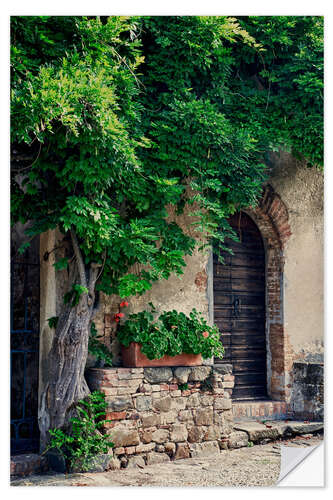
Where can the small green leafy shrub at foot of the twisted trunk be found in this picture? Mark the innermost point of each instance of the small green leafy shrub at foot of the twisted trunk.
(84, 441)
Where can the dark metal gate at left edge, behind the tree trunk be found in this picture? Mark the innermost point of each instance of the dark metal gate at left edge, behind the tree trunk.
(24, 349)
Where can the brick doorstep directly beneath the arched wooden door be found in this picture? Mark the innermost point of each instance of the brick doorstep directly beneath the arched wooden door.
(254, 410)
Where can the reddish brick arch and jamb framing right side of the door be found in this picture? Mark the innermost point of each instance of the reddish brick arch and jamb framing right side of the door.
(271, 217)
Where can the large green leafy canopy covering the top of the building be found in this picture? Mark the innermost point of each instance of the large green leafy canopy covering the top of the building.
(115, 119)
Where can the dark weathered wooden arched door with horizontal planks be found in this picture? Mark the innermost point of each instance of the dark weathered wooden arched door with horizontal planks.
(239, 308)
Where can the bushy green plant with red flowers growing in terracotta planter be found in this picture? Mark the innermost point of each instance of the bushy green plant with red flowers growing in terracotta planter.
(171, 333)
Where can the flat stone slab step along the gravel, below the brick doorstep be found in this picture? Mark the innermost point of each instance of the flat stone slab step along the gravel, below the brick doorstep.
(273, 429)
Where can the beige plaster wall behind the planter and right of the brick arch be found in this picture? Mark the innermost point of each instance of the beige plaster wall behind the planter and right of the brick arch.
(301, 190)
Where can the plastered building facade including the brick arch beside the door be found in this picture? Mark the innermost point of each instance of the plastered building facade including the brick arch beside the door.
(290, 220)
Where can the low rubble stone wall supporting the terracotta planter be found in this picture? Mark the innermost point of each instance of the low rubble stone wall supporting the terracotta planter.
(158, 414)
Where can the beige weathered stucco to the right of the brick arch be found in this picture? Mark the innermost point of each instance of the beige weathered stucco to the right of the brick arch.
(301, 189)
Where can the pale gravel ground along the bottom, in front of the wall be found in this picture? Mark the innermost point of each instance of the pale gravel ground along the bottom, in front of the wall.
(256, 466)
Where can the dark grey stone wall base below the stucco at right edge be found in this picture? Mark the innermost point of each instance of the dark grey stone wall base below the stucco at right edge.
(308, 391)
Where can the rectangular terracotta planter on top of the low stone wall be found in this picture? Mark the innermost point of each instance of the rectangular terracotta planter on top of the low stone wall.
(134, 358)
